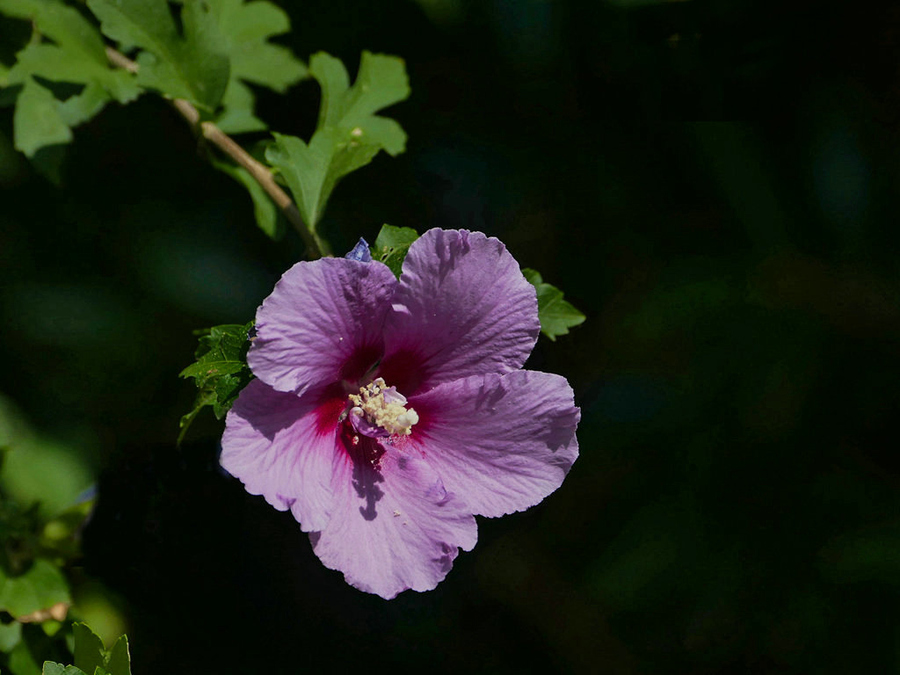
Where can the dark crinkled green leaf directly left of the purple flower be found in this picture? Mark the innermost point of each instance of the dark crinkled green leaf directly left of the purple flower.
(220, 371)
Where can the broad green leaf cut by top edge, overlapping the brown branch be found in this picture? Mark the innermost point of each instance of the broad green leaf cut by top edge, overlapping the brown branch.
(193, 65)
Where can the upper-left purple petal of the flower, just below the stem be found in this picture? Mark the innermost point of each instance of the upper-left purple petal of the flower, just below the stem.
(321, 324)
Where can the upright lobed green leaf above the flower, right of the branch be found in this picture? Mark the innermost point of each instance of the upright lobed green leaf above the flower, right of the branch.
(348, 134)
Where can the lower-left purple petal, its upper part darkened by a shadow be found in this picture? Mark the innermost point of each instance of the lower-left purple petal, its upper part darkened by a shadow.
(277, 445)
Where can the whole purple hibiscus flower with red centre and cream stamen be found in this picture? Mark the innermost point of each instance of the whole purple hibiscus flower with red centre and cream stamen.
(386, 413)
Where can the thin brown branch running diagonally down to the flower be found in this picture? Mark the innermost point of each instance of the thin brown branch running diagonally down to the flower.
(260, 172)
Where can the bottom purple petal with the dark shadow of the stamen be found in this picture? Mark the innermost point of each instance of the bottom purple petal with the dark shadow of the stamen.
(394, 526)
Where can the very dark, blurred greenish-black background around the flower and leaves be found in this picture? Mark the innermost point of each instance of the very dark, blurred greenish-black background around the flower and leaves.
(713, 183)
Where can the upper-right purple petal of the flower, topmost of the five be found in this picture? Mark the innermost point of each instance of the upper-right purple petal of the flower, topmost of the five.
(463, 308)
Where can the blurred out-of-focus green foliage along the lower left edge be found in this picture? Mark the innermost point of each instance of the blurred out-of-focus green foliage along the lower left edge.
(44, 501)
